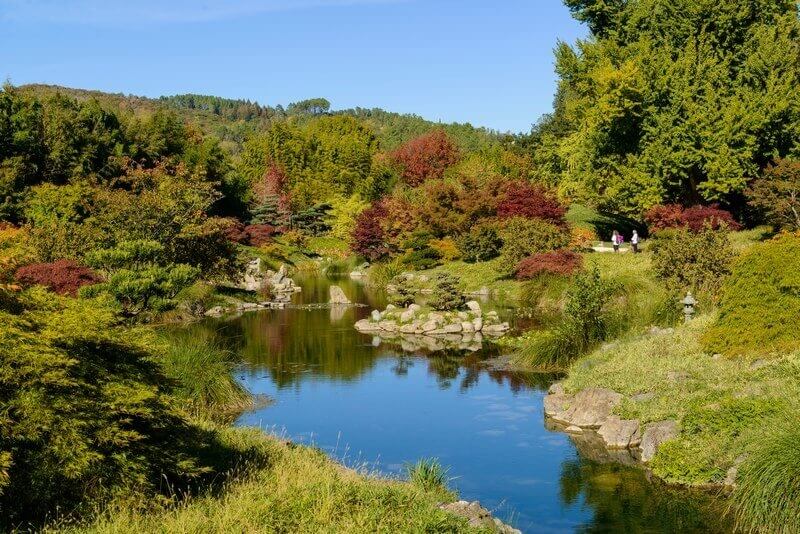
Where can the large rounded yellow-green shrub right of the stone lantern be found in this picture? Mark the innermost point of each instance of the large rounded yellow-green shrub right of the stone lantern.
(760, 302)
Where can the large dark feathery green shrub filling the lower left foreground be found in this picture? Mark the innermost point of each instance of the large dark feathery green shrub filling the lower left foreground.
(86, 410)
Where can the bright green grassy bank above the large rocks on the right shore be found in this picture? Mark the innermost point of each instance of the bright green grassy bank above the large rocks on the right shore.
(721, 403)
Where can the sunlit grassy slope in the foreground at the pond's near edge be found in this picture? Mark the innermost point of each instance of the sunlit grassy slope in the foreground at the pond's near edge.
(300, 490)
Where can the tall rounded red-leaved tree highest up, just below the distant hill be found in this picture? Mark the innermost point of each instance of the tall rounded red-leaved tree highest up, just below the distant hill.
(426, 157)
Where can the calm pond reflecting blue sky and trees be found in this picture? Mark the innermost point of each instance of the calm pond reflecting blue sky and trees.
(369, 404)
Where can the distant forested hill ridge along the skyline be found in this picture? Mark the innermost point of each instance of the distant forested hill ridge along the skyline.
(233, 120)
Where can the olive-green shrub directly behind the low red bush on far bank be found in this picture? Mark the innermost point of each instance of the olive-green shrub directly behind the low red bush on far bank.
(525, 237)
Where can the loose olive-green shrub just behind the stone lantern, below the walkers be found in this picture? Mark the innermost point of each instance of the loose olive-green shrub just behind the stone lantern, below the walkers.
(696, 261)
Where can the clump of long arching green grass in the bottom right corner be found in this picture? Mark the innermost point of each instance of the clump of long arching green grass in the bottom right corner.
(768, 483)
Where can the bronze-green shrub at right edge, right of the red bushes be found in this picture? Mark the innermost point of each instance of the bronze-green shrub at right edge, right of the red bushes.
(776, 194)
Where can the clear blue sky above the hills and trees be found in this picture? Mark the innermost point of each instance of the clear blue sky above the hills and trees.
(486, 62)
